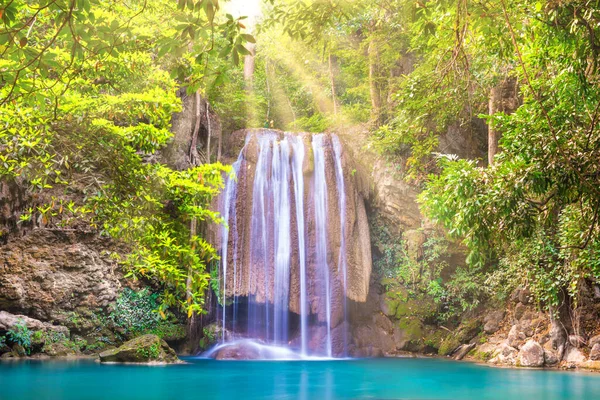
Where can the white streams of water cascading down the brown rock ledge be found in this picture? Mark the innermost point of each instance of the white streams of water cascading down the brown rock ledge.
(283, 226)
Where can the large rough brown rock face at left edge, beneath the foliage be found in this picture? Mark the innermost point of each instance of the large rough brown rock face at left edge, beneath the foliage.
(48, 274)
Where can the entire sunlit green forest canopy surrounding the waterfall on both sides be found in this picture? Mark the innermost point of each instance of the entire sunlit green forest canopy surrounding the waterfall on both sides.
(87, 91)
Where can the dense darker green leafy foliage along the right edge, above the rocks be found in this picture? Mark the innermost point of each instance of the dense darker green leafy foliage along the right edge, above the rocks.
(533, 214)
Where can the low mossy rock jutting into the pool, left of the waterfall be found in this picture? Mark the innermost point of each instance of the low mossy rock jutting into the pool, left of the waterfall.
(143, 349)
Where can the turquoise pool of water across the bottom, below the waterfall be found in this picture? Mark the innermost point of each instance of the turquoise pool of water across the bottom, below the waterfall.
(348, 379)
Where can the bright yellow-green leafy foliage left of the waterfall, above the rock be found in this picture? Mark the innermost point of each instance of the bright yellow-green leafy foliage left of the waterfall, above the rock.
(88, 90)
